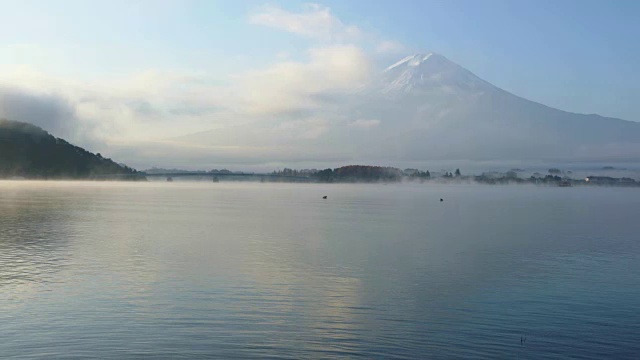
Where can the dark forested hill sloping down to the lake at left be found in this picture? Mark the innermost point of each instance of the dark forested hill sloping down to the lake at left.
(30, 152)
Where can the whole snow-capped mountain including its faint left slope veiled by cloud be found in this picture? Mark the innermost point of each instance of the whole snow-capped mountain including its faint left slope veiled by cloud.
(426, 108)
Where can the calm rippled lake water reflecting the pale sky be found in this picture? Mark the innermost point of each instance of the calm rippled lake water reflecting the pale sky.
(273, 271)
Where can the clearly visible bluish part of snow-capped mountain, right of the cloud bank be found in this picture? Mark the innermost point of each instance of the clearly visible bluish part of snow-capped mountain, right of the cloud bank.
(431, 108)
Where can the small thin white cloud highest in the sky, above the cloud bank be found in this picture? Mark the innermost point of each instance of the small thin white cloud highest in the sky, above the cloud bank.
(314, 21)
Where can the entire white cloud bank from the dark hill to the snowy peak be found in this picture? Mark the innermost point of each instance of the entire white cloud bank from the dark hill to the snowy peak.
(273, 111)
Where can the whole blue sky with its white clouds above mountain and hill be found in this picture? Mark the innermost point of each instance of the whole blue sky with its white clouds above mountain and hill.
(140, 71)
